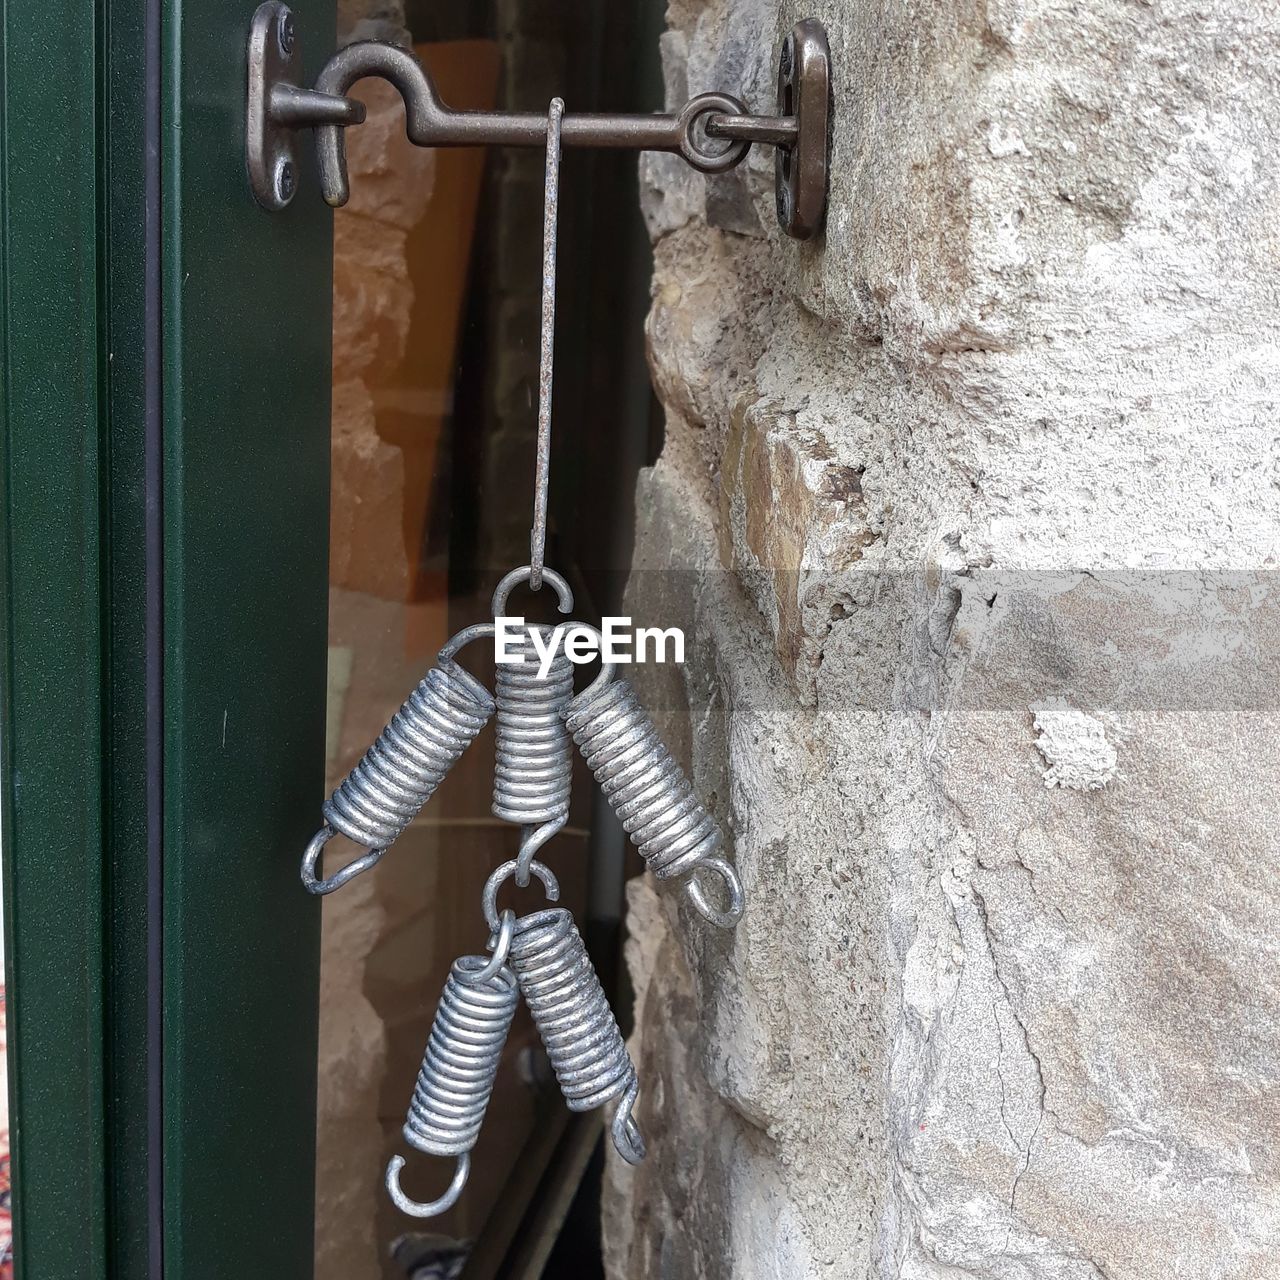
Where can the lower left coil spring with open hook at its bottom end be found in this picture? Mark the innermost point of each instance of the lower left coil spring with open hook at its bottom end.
(458, 1075)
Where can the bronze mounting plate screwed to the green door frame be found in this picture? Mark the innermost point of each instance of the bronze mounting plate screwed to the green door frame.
(271, 147)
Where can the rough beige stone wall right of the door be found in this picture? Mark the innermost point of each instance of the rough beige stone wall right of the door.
(971, 514)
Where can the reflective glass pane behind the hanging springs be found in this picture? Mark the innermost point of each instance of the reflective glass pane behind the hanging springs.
(437, 276)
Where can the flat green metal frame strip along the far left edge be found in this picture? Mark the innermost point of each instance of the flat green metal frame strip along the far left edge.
(53, 766)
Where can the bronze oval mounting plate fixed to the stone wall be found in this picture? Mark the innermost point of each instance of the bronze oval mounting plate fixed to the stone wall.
(804, 93)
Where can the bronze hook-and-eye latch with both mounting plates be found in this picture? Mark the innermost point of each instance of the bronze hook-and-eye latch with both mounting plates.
(712, 132)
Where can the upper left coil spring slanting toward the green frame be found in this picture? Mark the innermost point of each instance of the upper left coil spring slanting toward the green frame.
(399, 774)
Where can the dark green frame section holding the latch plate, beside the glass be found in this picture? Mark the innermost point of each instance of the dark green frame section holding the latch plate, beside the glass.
(248, 304)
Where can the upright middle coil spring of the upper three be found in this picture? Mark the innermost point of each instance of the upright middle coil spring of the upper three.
(534, 756)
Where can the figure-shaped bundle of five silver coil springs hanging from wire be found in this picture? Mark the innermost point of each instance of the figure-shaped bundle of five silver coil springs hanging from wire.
(540, 957)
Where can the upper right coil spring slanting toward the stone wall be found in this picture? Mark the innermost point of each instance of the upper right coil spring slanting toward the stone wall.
(650, 793)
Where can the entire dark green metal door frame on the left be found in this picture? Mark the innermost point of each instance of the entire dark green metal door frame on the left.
(164, 390)
